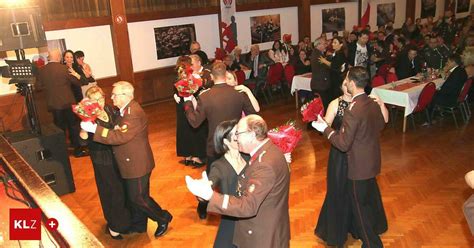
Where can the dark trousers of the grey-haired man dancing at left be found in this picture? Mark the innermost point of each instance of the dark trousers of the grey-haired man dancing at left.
(143, 206)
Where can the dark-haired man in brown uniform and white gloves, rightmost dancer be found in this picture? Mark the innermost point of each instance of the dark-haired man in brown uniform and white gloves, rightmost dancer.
(359, 137)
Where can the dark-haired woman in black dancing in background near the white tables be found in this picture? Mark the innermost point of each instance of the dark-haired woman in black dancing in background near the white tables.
(338, 66)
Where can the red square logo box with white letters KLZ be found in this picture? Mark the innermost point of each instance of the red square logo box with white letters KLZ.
(25, 224)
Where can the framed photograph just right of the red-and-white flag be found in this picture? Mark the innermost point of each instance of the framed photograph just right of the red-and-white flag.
(265, 28)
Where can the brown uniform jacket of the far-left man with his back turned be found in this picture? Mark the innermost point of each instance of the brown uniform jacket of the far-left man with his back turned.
(56, 81)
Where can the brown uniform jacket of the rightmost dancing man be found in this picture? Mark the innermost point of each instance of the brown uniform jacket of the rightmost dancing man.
(359, 137)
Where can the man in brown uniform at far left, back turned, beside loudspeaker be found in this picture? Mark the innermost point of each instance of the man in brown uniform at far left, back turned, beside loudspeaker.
(56, 79)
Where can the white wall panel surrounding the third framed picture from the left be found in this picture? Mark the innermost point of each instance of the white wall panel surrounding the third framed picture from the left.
(317, 17)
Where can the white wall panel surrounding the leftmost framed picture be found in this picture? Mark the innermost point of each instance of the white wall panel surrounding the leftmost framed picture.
(143, 46)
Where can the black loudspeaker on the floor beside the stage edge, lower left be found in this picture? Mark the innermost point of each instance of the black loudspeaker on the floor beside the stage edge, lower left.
(47, 155)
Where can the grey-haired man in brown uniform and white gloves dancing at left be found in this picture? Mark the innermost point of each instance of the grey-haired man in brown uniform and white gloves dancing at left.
(134, 158)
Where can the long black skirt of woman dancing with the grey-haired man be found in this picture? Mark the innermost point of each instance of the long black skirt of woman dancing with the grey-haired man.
(110, 186)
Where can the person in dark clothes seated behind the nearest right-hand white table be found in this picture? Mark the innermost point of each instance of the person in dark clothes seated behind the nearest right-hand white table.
(408, 64)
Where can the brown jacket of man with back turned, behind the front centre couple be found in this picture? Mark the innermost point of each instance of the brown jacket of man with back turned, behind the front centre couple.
(220, 103)
